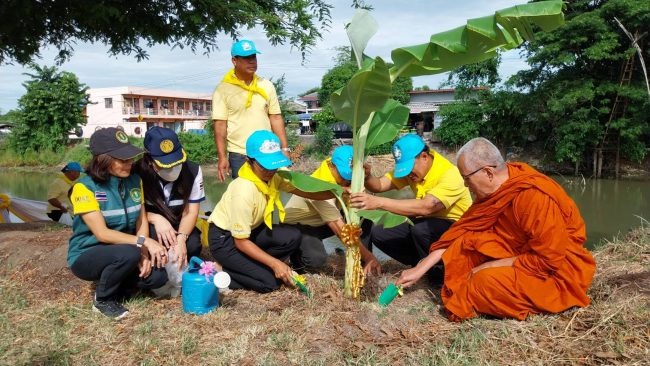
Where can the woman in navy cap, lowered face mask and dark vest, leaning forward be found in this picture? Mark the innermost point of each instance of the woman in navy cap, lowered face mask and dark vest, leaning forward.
(174, 191)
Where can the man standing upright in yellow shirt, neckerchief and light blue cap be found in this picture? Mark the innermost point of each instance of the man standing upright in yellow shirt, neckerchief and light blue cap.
(242, 104)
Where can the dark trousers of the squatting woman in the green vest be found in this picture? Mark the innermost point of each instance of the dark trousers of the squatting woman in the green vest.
(115, 267)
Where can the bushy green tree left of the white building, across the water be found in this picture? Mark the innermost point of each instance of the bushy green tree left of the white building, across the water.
(51, 108)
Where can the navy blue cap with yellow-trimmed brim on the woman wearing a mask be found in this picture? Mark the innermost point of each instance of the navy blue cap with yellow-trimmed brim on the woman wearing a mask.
(164, 147)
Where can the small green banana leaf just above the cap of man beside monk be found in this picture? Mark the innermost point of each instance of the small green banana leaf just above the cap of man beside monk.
(387, 123)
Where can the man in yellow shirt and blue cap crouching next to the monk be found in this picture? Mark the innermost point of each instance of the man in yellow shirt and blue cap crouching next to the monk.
(441, 198)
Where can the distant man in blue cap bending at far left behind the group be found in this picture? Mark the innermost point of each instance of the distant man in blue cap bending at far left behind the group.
(58, 202)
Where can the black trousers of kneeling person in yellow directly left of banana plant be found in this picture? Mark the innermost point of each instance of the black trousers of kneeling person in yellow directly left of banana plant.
(245, 272)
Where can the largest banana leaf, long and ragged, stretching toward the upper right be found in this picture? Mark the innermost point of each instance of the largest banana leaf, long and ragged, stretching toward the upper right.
(478, 40)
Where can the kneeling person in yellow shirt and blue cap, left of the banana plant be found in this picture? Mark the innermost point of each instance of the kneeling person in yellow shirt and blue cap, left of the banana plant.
(241, 235)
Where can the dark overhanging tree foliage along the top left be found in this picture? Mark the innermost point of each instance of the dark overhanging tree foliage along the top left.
(129, 26)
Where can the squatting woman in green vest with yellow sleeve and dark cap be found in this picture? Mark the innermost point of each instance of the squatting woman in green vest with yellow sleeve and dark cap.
(110, 241)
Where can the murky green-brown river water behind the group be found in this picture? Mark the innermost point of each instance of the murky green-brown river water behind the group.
(609, 207)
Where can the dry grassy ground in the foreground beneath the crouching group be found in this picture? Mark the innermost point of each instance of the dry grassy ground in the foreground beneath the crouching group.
(46, 319)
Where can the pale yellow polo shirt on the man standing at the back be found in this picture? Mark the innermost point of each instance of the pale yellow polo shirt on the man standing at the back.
(229, 104)
